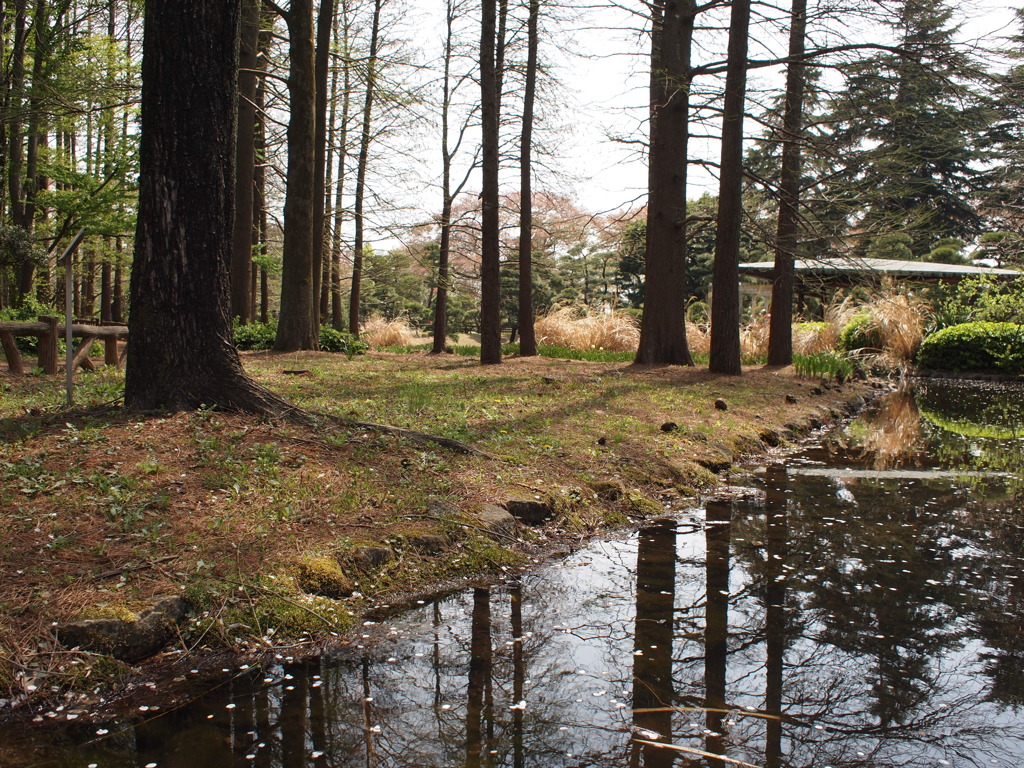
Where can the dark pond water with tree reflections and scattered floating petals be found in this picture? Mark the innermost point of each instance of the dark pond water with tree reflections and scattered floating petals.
(860, 604)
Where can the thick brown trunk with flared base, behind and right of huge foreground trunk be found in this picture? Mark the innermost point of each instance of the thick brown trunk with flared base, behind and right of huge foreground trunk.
(295, 325)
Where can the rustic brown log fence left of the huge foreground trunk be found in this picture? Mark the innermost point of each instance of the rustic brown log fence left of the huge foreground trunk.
(50, 331)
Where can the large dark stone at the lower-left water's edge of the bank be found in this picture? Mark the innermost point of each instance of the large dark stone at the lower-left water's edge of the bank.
(127, 641)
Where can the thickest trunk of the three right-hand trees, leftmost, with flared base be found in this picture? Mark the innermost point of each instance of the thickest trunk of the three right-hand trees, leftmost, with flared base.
(663, 326)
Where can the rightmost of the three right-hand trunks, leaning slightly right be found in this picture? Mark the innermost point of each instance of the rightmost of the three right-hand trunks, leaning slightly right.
(781, 329)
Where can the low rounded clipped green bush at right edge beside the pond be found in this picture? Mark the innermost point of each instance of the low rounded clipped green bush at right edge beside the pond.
(975, 347)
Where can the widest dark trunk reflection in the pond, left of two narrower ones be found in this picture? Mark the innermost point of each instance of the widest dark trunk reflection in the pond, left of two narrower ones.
(653, 642)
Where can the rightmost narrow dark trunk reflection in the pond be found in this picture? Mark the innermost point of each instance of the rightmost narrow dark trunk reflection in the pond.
(778, 536)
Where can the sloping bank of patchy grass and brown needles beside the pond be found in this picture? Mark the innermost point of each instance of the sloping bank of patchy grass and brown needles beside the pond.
(105, 511)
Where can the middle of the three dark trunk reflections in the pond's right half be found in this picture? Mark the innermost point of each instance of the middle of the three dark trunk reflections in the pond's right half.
(717, 625)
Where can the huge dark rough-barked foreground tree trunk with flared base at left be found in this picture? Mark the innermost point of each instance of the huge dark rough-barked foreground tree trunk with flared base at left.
(181, 354)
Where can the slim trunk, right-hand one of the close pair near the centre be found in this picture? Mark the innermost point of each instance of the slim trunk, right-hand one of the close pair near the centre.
(528, 338)
